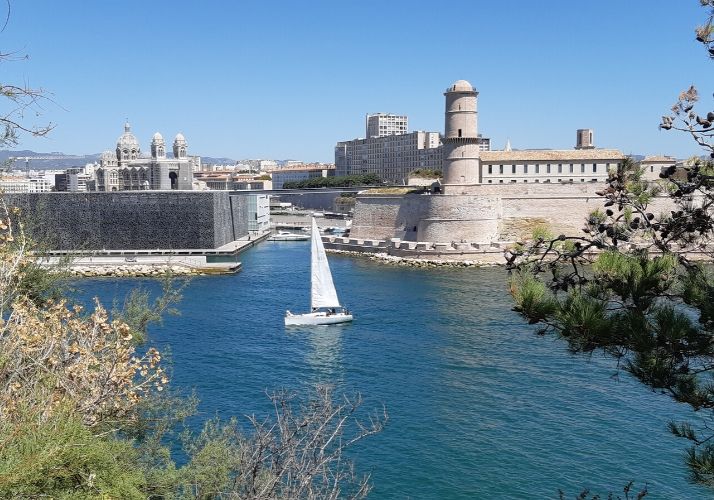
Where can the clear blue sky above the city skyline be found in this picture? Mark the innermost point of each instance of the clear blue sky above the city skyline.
(289, 79)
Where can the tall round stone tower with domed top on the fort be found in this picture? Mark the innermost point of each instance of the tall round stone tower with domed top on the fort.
(461, 143)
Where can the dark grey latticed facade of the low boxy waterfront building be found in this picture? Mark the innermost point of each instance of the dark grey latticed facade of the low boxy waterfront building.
(127, 220)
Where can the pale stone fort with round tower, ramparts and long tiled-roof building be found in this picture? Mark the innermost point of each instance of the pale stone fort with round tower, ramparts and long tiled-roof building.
(490, 196)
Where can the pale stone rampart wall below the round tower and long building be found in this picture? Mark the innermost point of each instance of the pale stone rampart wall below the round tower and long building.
(487, 213)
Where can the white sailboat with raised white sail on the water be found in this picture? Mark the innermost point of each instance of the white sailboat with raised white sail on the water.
(326, 308)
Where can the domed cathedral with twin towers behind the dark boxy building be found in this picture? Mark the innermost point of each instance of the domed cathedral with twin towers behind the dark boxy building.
(127, 169)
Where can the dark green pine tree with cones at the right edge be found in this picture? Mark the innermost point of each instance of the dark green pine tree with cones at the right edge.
(634, 285)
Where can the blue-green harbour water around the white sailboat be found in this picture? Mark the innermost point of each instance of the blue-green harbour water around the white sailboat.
(479, 406)
